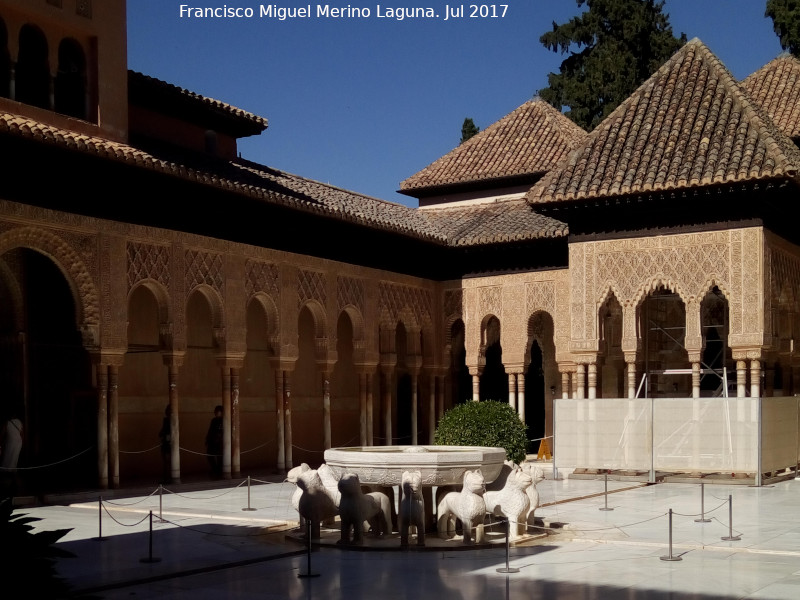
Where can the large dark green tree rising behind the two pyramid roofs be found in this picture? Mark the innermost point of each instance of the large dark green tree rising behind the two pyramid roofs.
(618, 45)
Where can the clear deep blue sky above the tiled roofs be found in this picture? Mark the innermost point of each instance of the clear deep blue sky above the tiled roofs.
(365, 103)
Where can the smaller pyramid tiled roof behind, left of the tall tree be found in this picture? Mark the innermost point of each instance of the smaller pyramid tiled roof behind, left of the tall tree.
(530, 140)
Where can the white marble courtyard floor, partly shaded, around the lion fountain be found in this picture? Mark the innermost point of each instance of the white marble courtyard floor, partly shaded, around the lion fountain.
(211, 548)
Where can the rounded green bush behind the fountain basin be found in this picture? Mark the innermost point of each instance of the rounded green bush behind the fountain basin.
(488, 423)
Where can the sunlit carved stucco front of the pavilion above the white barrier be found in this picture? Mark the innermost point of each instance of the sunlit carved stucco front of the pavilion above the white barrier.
(689, 264)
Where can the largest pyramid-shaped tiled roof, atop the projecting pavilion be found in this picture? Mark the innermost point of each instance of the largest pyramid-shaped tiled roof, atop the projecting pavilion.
(689, 125)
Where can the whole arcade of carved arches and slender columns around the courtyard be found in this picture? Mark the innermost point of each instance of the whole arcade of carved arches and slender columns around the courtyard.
(105, 325)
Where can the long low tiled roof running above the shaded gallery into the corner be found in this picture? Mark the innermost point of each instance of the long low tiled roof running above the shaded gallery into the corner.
(469, 225)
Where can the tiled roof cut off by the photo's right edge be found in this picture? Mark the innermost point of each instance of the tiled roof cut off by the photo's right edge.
(776, 87)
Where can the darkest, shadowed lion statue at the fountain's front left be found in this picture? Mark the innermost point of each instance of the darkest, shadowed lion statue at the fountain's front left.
(355, 508)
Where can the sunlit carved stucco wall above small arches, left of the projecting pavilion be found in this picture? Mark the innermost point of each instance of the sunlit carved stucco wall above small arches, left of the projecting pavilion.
(513, 299)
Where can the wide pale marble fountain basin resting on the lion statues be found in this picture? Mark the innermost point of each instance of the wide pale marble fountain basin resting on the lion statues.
(438, 465)
